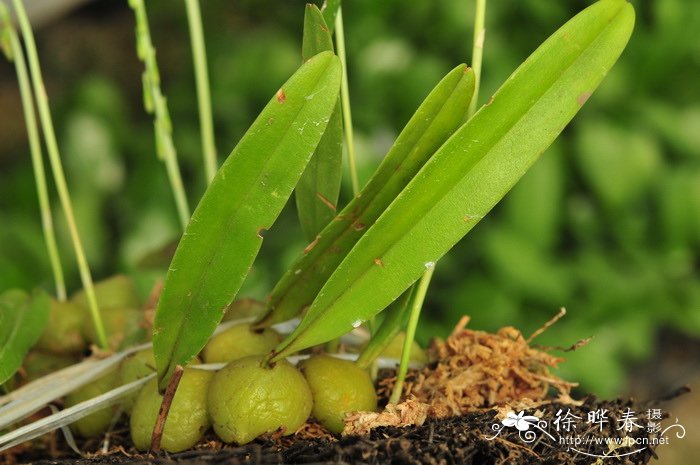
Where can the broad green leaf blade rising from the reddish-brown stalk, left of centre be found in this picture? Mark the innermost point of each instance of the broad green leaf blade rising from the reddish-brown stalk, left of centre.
(244, 199)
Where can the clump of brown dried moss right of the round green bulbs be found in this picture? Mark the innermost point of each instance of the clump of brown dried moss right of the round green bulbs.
(472, 370)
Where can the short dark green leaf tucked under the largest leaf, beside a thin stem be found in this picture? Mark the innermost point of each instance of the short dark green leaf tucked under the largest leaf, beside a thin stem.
(395, 317)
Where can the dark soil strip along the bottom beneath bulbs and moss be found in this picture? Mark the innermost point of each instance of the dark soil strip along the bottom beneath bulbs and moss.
(457, 440)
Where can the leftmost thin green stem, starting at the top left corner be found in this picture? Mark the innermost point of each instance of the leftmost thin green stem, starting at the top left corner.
(17, 55)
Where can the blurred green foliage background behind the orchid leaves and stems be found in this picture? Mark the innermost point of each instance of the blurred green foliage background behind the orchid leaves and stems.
(606, 224)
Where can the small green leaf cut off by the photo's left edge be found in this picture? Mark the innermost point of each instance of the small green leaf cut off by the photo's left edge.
(22, 320)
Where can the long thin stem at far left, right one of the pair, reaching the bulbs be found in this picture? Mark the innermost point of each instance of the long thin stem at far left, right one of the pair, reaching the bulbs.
(59, 177)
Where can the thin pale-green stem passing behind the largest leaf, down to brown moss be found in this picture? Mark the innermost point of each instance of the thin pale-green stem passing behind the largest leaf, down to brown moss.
(477, 55)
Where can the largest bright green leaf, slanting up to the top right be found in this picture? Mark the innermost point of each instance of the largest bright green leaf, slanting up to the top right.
(470, 173)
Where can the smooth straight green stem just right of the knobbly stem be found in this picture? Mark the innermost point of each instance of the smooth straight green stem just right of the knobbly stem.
(199, 56)
